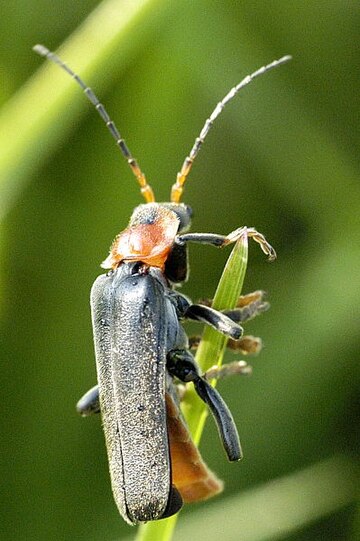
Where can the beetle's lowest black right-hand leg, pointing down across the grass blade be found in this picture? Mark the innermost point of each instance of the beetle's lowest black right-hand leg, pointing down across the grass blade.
(182, 365)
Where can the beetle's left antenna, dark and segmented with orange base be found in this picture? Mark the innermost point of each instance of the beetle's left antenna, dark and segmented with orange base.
(145, 188)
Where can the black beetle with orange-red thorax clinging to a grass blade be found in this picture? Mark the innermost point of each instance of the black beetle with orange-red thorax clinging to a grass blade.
(141, 346)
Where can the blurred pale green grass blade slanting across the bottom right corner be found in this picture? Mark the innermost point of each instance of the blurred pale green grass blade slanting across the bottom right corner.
(281, 507)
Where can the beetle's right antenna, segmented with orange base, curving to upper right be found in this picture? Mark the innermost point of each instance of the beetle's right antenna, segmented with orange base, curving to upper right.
(178, 188)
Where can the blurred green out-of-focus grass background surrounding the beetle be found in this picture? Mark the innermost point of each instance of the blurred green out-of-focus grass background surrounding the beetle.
(282, 157)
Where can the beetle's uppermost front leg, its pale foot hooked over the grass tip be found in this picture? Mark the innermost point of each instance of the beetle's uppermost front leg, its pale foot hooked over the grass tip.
(224, 240)
